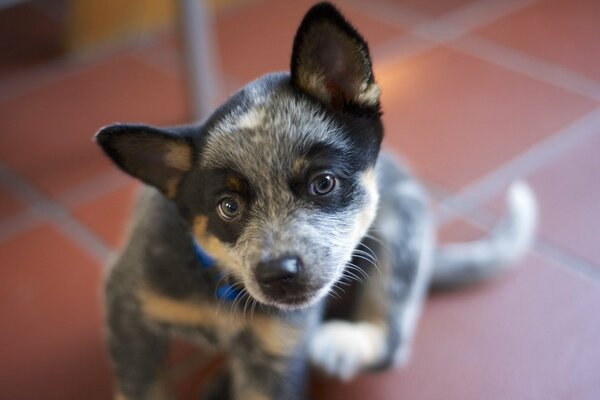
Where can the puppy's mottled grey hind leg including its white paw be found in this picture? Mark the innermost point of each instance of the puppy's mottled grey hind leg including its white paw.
(393, 263)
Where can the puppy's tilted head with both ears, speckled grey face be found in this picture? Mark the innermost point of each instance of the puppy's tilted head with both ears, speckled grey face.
(278, 184)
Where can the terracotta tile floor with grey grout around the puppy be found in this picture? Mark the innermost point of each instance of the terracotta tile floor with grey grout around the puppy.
(487, 93)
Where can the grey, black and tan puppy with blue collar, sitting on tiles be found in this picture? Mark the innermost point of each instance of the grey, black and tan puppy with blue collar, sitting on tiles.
(274, 231)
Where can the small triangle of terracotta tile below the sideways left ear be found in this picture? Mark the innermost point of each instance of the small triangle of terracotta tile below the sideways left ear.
(108, 215)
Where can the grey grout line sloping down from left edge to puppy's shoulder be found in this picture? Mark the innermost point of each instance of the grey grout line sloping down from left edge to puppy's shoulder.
(55, 212)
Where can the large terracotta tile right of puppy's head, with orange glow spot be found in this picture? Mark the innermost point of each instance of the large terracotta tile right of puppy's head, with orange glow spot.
(457, 117)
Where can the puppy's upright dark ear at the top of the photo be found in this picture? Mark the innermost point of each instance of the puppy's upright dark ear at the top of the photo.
(330, 61)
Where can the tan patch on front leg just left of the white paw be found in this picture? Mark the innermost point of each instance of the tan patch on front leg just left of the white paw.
(276, 337)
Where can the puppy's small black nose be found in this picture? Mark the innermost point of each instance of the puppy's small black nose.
(279, 275)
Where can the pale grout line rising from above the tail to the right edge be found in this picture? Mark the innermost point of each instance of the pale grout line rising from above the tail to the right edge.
(531, 160)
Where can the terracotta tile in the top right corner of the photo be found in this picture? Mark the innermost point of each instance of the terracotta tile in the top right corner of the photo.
(559, 31)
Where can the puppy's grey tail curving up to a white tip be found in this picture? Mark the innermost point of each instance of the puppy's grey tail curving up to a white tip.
(464, 263)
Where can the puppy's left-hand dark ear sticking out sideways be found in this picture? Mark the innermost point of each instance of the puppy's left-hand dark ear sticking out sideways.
(158, 157)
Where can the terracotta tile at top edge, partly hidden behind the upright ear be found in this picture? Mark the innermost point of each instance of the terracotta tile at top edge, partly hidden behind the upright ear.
(257, 39)
